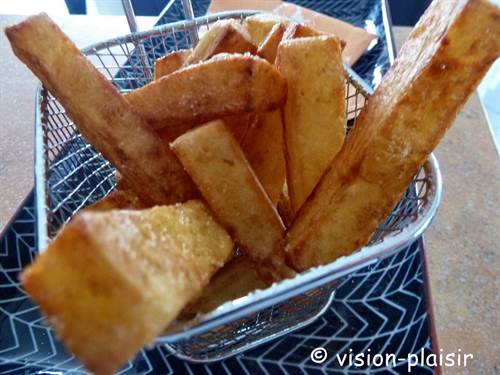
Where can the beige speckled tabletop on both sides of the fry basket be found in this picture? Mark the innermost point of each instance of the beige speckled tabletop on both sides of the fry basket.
(462, 244)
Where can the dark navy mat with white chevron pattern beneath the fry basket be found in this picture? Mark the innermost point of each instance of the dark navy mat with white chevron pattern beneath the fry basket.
(378, 310)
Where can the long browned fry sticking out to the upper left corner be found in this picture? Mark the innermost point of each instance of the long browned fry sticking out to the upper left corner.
(100, 112)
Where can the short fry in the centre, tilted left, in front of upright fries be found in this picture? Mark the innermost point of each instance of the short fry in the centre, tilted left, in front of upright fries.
(217, 165)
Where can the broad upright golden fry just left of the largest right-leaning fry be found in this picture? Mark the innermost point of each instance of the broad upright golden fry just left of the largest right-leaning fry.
(314, 114)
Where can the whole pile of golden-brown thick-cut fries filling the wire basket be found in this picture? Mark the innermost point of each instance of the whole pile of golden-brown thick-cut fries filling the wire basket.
(234, 170)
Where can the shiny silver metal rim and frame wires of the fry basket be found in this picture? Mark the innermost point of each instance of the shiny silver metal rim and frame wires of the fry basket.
(279, 293)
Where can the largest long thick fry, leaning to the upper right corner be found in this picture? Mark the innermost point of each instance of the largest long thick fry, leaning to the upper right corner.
(440, 64)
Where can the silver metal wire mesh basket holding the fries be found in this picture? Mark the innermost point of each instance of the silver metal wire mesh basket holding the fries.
(70, 175)
